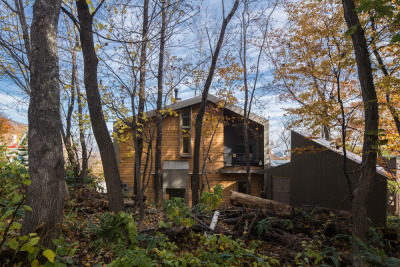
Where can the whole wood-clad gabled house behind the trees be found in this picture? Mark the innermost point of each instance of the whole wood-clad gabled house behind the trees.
(222, 150)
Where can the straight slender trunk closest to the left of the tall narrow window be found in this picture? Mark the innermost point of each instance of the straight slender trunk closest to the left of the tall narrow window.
(159, 119)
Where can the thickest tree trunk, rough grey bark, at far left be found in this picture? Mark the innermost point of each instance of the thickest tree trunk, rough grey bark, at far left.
(46, 161)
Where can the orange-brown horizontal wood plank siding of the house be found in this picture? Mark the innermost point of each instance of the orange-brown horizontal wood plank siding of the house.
(170, 152)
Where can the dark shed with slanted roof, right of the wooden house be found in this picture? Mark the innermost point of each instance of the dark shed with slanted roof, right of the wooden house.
(315, 177)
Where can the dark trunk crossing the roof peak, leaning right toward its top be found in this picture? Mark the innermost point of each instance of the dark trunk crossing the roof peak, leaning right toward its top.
(202, 109)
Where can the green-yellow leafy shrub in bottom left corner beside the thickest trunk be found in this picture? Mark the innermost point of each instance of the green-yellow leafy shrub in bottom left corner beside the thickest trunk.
(14, 180)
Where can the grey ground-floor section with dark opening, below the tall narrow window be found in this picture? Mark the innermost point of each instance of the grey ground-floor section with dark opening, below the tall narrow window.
(175, 181)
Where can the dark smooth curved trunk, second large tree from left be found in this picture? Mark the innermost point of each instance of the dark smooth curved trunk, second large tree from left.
(103, 138)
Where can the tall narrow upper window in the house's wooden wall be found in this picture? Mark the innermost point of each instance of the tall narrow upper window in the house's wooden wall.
(186, 132)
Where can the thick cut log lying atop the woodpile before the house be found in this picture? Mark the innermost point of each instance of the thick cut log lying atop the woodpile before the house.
(253, 201)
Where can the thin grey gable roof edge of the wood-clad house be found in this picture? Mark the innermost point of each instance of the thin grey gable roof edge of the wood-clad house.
(212, 99)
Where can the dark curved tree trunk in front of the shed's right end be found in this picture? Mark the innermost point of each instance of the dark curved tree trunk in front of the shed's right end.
(369, 154)
